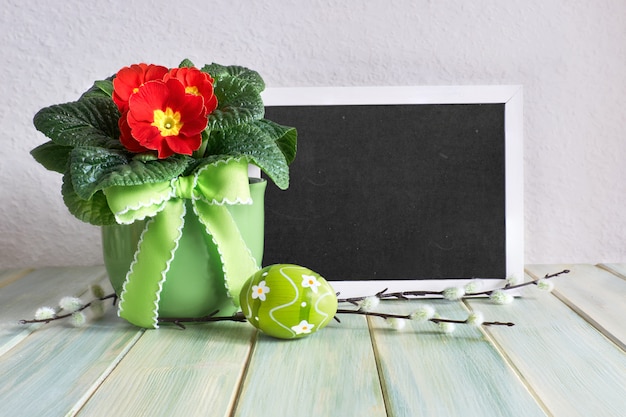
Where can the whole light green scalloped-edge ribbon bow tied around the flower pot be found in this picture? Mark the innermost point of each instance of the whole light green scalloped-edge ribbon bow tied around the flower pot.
(210, 189)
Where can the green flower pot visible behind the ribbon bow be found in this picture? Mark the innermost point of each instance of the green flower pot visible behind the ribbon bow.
(194, 285)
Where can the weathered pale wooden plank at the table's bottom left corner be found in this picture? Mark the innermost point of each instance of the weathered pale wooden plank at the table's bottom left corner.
(49, 372)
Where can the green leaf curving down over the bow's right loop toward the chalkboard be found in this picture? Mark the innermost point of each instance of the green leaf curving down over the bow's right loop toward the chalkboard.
(258, 145)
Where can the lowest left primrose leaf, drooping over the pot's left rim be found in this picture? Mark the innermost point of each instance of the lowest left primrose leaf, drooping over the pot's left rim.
(95, 210)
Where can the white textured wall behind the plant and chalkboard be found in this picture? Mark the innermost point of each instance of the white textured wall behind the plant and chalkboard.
(570, 55)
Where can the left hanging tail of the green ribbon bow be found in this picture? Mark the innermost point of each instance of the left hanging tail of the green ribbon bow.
(139, 299)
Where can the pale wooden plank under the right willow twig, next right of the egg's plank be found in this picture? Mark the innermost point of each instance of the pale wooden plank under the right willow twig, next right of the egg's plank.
(430, 373)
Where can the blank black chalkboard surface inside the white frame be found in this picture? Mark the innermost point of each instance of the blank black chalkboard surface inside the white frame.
(403, 191)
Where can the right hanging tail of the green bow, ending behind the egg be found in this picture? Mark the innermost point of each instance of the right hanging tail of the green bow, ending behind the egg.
(238, 264)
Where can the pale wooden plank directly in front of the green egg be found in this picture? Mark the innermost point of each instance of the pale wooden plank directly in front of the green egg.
(330, 373)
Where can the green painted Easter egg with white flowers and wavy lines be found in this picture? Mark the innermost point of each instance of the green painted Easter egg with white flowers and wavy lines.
(288, 301)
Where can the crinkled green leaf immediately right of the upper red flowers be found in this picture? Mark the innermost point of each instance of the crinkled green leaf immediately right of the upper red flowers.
(238, 103)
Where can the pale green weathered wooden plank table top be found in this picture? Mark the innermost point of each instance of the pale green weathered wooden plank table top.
(564, 357)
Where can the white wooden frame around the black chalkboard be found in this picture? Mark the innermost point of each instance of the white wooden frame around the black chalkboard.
(509, 95)
